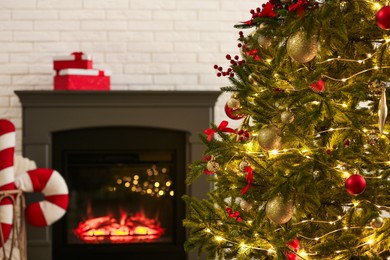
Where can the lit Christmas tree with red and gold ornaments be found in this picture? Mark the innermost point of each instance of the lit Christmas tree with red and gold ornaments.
(306, 175)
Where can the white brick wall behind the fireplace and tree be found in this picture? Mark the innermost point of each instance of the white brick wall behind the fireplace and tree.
(147, 45)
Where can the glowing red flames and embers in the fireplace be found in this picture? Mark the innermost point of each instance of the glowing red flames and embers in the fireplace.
(129, 229)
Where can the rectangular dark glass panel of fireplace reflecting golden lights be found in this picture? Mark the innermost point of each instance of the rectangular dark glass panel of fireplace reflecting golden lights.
(121, 198)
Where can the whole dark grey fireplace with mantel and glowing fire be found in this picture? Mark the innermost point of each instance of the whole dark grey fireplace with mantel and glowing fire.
(124, 156)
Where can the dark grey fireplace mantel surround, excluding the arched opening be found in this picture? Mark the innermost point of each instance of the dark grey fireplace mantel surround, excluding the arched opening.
(46, 112)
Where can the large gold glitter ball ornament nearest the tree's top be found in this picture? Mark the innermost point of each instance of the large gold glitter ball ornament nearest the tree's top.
(301, 48)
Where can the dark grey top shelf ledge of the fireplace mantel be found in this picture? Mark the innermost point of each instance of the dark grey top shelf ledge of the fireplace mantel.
(114, 98)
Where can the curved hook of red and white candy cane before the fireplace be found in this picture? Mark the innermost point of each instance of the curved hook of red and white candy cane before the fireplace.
(53, 186)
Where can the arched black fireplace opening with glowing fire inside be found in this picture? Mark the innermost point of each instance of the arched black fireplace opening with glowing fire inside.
(125, 186)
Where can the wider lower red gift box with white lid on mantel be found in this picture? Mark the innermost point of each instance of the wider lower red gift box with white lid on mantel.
(81, 79)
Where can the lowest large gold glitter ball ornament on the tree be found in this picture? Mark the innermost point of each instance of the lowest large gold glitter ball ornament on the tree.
(279, 211)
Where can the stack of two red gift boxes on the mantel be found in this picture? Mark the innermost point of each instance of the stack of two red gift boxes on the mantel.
(75, 72)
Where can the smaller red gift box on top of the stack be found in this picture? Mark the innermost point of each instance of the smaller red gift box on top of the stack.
(77, 60)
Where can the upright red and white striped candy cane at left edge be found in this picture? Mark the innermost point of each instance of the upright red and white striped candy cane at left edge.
(7, 176)
